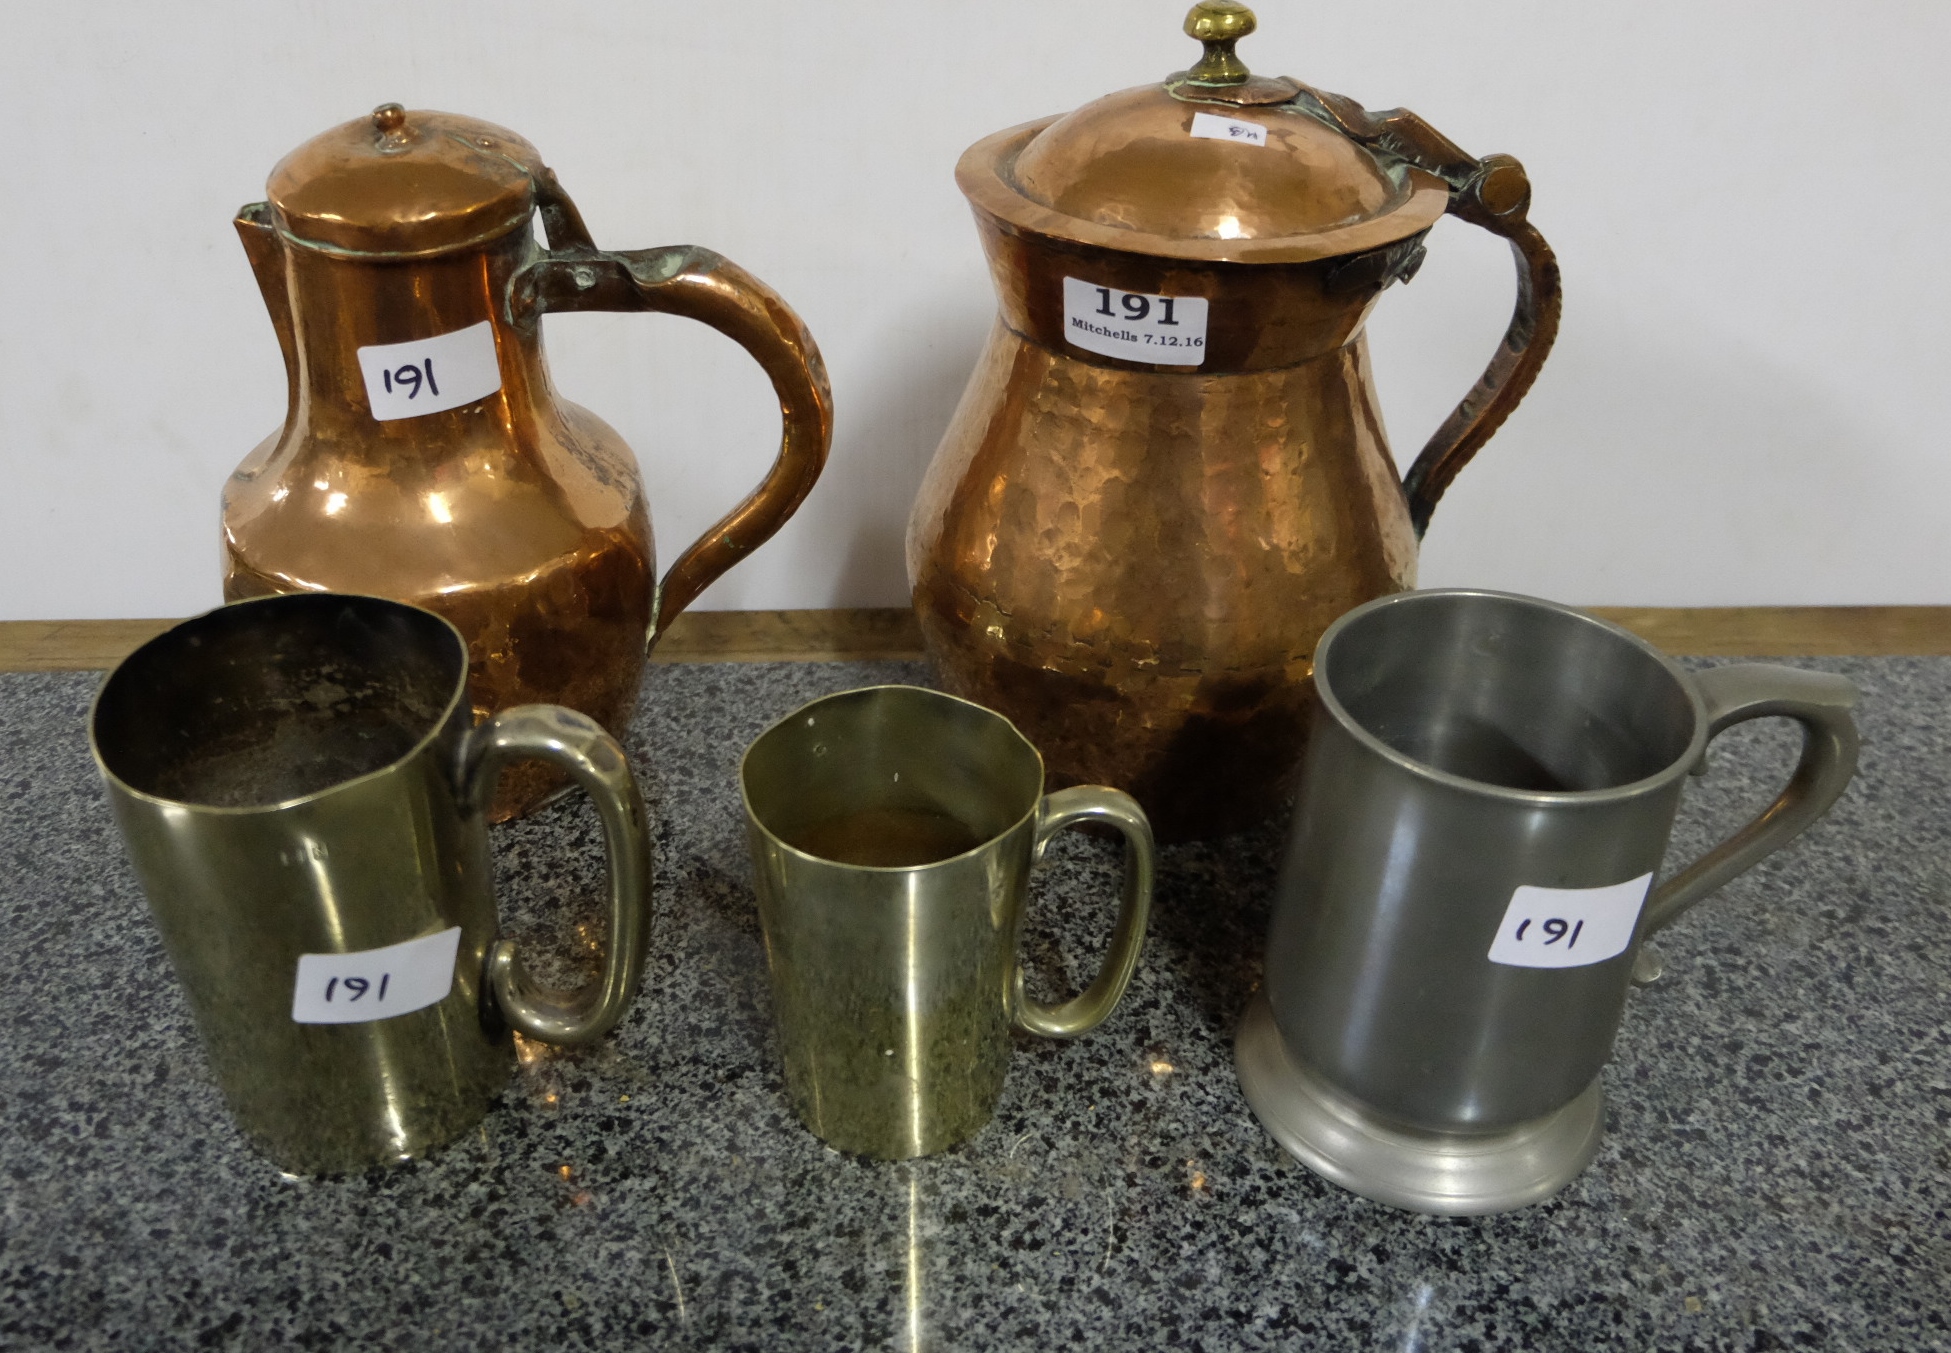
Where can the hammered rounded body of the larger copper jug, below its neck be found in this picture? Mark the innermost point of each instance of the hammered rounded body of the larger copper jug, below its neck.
(1135, 569)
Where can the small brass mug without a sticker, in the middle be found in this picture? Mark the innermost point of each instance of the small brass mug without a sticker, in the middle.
(893, 837)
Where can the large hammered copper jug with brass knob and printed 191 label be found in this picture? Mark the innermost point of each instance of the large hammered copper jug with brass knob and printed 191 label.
(1170, 475)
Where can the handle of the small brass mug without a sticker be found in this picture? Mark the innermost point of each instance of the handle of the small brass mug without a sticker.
(1082, 1014)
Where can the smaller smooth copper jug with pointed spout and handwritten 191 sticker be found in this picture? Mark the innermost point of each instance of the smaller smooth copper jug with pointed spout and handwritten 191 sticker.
(426, 456)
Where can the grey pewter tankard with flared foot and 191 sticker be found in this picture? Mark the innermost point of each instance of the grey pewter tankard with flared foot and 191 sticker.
(1486, 803)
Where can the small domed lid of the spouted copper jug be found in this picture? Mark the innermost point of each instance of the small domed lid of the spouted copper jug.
(405, 184)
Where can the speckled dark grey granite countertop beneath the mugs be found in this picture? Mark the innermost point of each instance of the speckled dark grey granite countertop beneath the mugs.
(1776, 1168)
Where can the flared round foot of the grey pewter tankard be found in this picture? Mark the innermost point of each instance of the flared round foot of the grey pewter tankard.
(1447, 1174)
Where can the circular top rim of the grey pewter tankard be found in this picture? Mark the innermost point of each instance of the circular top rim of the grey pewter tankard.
(1423, 770)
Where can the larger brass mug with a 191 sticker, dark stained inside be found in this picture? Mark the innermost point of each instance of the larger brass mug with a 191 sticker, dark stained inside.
(301, 786)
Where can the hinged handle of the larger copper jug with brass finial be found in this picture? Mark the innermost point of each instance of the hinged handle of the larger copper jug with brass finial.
(1497, 196)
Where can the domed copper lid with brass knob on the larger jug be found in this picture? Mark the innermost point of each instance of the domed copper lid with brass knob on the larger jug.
(1211, 165)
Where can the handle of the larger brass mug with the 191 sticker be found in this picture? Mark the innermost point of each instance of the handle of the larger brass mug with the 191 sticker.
(592, 758)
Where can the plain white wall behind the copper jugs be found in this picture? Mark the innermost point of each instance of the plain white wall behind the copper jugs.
(1747, 405)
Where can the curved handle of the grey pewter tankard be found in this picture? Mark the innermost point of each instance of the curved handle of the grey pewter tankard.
(1821, 704)
